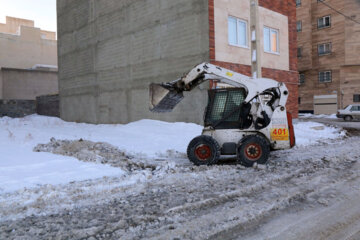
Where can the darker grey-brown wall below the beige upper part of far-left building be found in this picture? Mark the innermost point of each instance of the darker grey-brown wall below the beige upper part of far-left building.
(27, 84)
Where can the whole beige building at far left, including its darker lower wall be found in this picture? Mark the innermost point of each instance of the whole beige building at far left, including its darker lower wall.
(28, 60)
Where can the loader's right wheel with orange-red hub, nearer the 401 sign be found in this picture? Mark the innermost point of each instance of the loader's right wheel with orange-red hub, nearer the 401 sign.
(253, 149)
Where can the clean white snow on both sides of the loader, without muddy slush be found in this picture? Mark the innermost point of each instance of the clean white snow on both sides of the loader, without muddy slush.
(145, 140)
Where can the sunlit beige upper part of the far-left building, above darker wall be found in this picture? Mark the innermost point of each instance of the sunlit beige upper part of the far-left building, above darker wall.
(23, 46)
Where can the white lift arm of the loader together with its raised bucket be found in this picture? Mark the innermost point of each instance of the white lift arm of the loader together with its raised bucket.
(164, 97)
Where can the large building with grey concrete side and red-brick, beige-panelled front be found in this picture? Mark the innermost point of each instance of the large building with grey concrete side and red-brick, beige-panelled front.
(110, 50)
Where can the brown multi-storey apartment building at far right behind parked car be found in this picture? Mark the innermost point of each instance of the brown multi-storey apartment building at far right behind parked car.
(328, 54)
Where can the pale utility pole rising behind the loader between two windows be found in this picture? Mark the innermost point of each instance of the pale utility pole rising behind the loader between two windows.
(255, 39)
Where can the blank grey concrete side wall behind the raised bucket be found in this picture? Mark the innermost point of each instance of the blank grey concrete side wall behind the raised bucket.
(110, 50)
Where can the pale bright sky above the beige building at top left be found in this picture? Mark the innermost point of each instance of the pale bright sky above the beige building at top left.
(43, 12)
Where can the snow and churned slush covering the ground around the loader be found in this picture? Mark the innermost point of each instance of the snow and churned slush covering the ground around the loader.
(75, 187)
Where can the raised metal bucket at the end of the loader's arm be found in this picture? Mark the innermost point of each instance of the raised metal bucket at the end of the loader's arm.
(163, 99)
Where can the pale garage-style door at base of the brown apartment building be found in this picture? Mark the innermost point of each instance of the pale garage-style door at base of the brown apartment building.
(325, 104)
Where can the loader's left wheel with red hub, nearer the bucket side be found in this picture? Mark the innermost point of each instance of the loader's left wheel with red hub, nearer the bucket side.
(203, 150)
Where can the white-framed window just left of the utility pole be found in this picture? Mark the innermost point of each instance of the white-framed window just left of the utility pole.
(238, 34)
